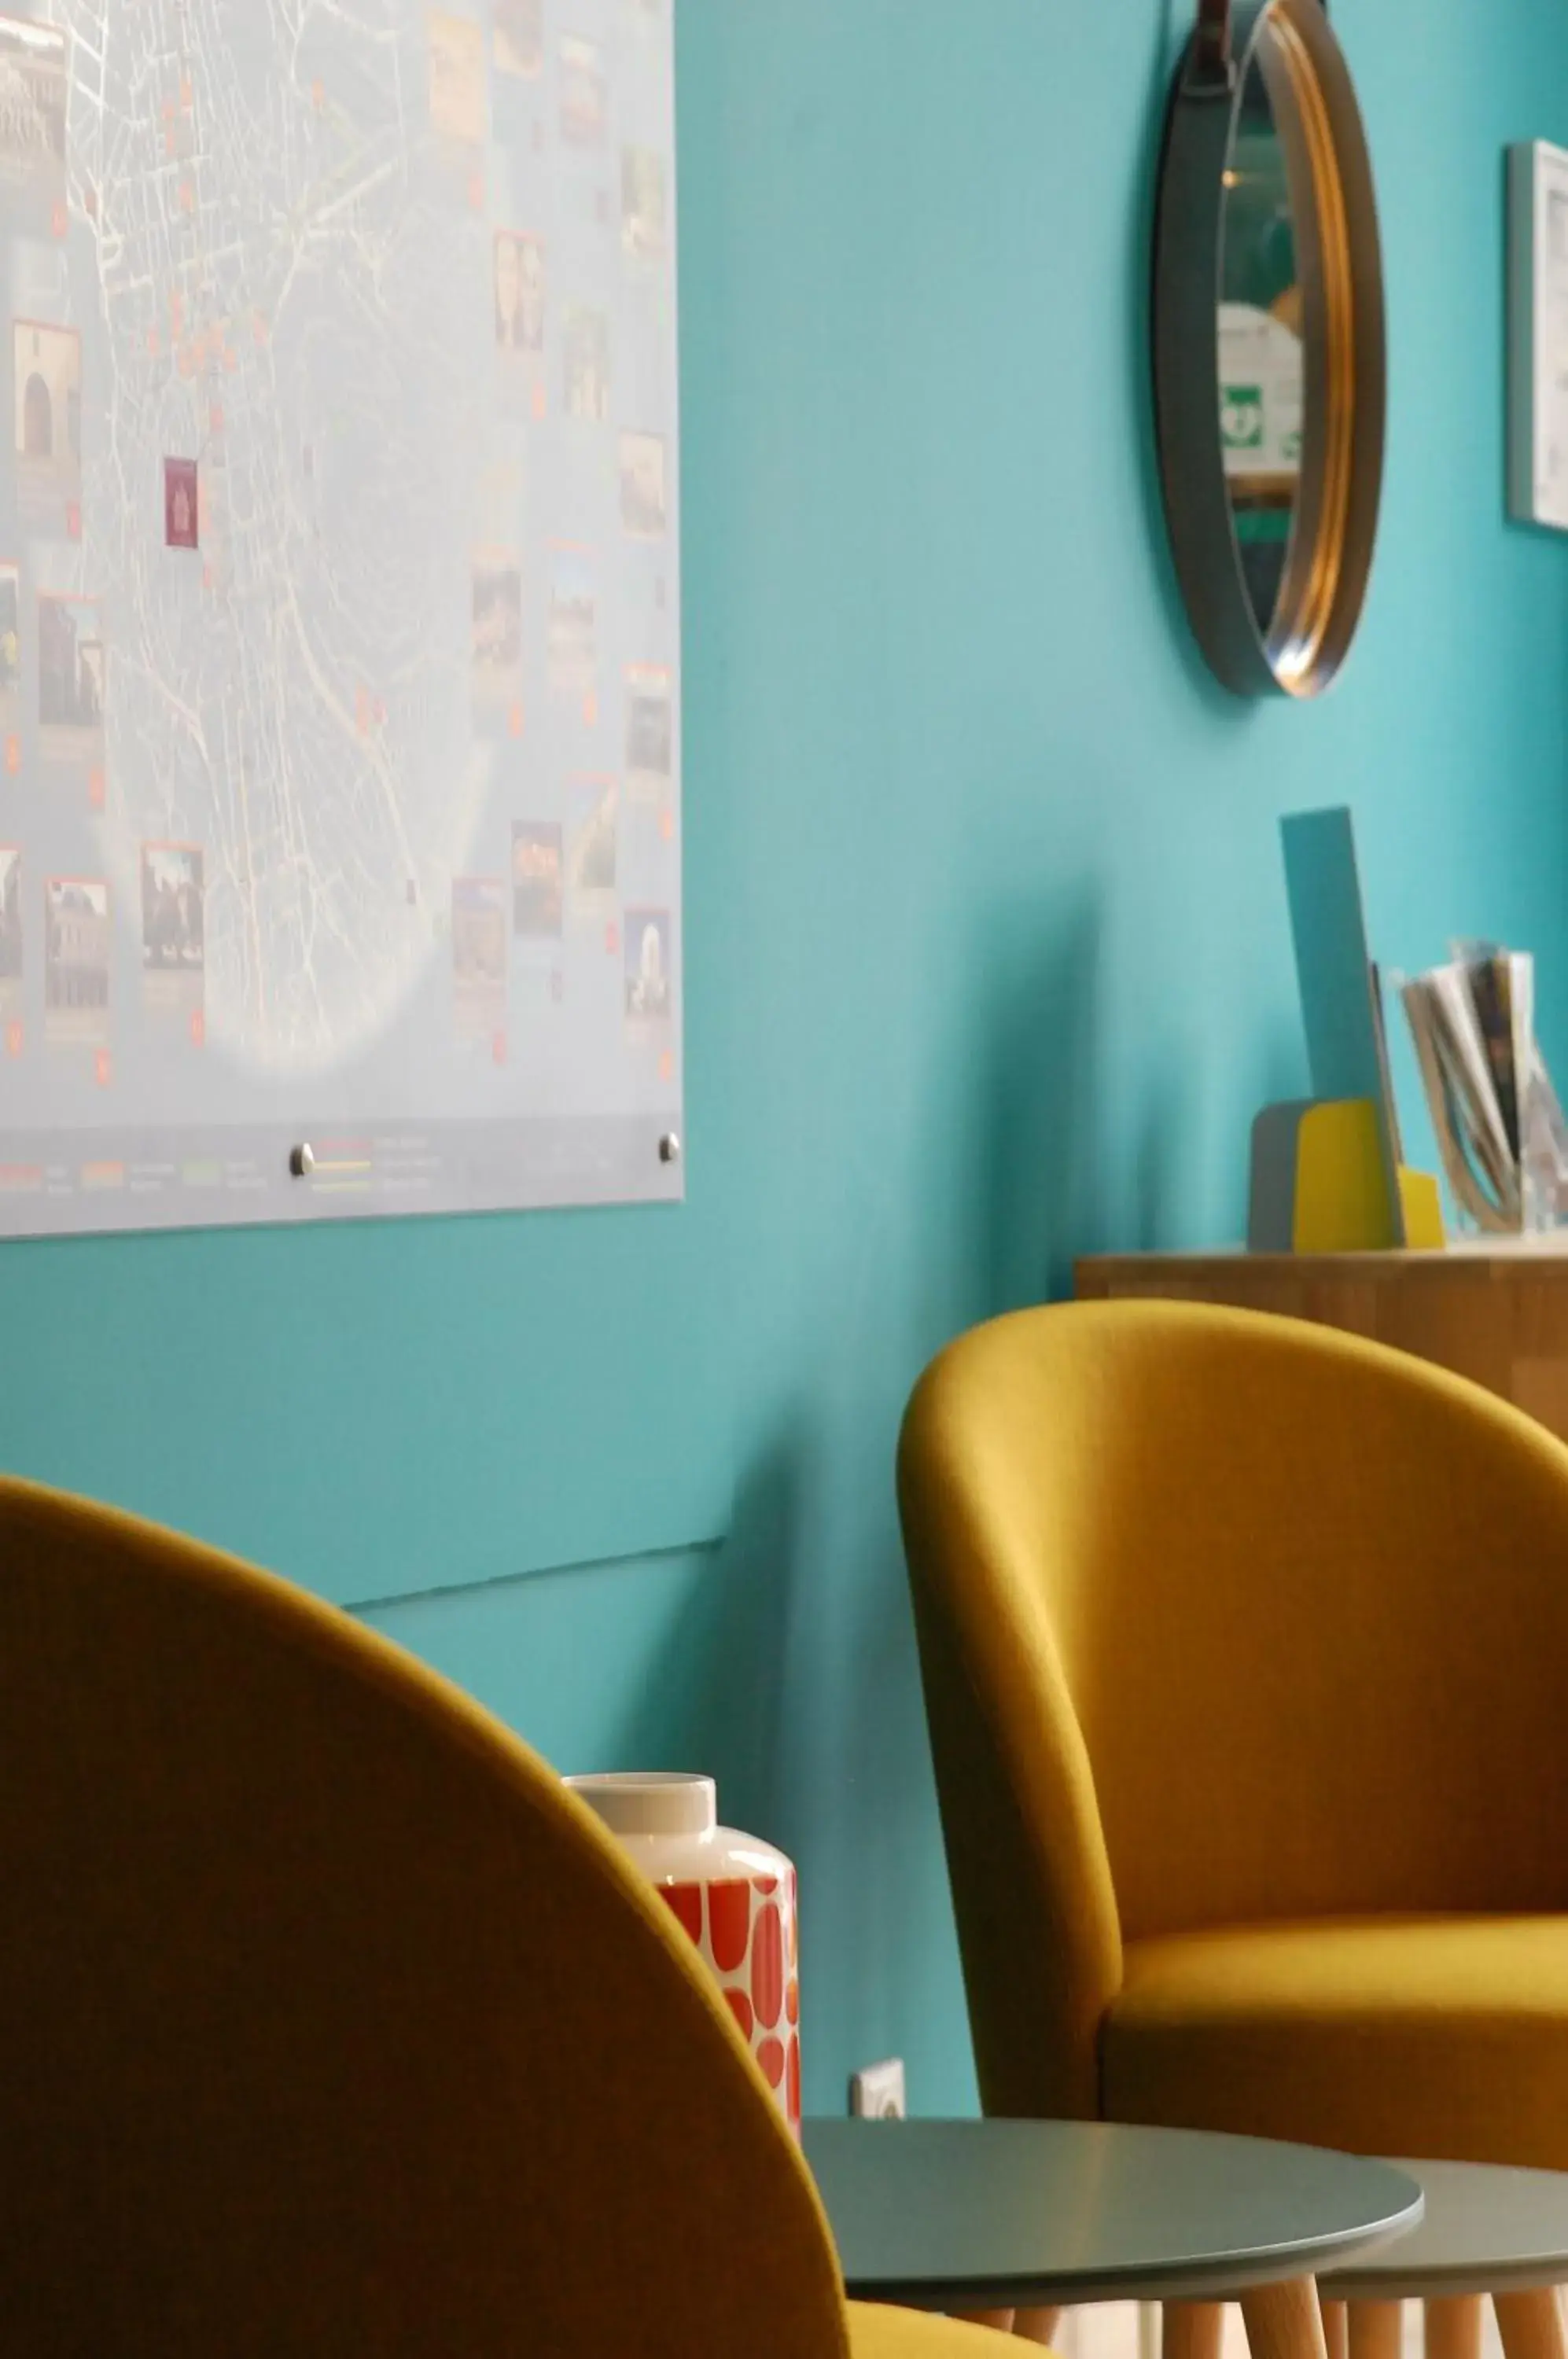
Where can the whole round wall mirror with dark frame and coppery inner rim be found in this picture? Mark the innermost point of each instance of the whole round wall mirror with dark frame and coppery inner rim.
(1270, 346)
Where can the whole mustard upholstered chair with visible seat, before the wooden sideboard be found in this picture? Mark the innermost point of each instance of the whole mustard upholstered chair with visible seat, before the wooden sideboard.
(1246, 1664)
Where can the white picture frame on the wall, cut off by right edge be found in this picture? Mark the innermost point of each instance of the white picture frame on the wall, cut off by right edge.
(1539, 334)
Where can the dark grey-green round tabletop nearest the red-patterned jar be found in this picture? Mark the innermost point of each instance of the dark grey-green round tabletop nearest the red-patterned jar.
(1039, 2214)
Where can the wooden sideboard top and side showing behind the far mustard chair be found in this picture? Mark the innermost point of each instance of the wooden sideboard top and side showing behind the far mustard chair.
(1491, 1313)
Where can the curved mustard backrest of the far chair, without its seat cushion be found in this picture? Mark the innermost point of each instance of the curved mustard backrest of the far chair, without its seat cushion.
(1223, 1619)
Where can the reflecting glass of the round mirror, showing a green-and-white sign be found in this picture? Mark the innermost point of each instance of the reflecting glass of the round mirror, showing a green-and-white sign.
(1260, 350)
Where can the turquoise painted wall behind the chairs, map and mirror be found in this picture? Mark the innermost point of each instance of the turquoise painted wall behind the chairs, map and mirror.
(987, 933)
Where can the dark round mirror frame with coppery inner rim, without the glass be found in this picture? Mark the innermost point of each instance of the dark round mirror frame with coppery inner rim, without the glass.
(1345, 355)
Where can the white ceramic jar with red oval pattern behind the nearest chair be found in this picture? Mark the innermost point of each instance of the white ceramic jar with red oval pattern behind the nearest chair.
(732, 1893)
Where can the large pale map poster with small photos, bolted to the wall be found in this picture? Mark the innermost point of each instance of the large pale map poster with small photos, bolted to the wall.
(341, 610)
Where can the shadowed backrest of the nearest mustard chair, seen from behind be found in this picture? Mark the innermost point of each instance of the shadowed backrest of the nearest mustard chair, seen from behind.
(329, 2020)
